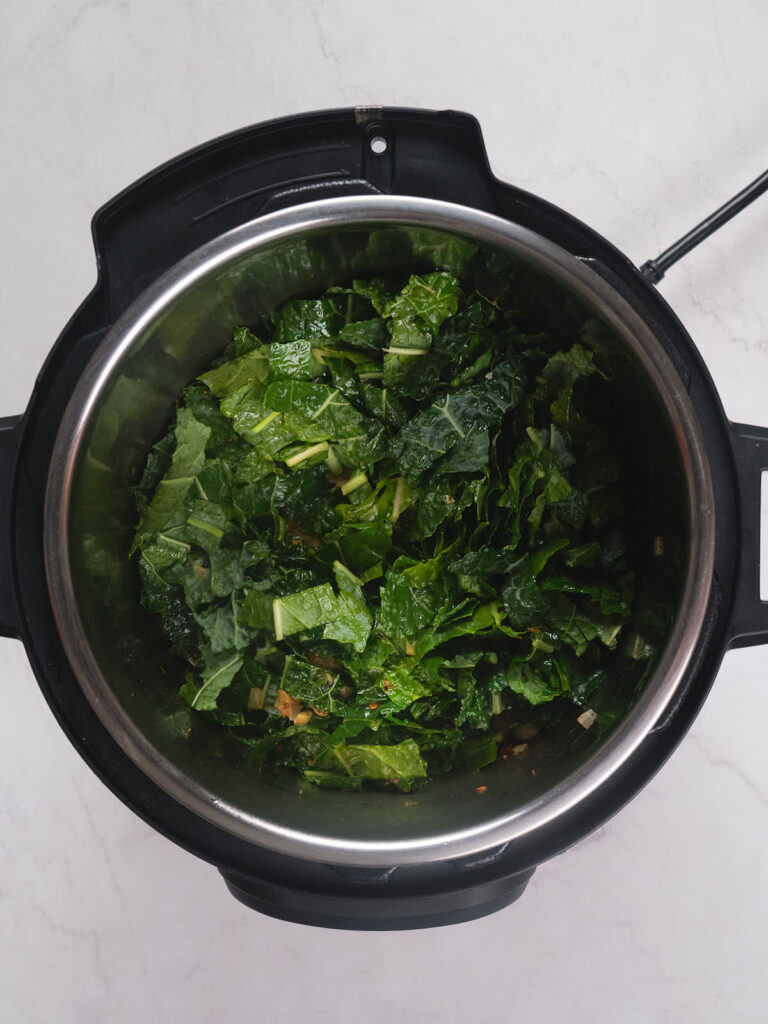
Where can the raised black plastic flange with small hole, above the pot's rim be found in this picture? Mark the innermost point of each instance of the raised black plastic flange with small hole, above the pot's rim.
(218, 187)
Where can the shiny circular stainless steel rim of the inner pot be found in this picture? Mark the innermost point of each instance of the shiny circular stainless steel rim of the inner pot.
(370, 211)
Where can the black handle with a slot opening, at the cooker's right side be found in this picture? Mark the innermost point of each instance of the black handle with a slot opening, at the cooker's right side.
(749, 618)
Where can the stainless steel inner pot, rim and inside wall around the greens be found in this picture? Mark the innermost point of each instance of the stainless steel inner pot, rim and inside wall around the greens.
(123, 403)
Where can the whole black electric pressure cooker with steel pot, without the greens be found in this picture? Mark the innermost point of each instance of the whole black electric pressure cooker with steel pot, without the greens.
(222, 237)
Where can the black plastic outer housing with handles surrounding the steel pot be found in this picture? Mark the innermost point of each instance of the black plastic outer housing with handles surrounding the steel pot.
(147, 230)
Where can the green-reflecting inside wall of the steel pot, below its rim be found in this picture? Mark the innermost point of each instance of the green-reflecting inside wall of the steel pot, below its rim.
(134, 411)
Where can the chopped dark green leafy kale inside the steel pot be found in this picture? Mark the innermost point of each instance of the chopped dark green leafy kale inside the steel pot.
(385, 529)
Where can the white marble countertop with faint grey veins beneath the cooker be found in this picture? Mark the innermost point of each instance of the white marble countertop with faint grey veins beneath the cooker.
(639, 120)
